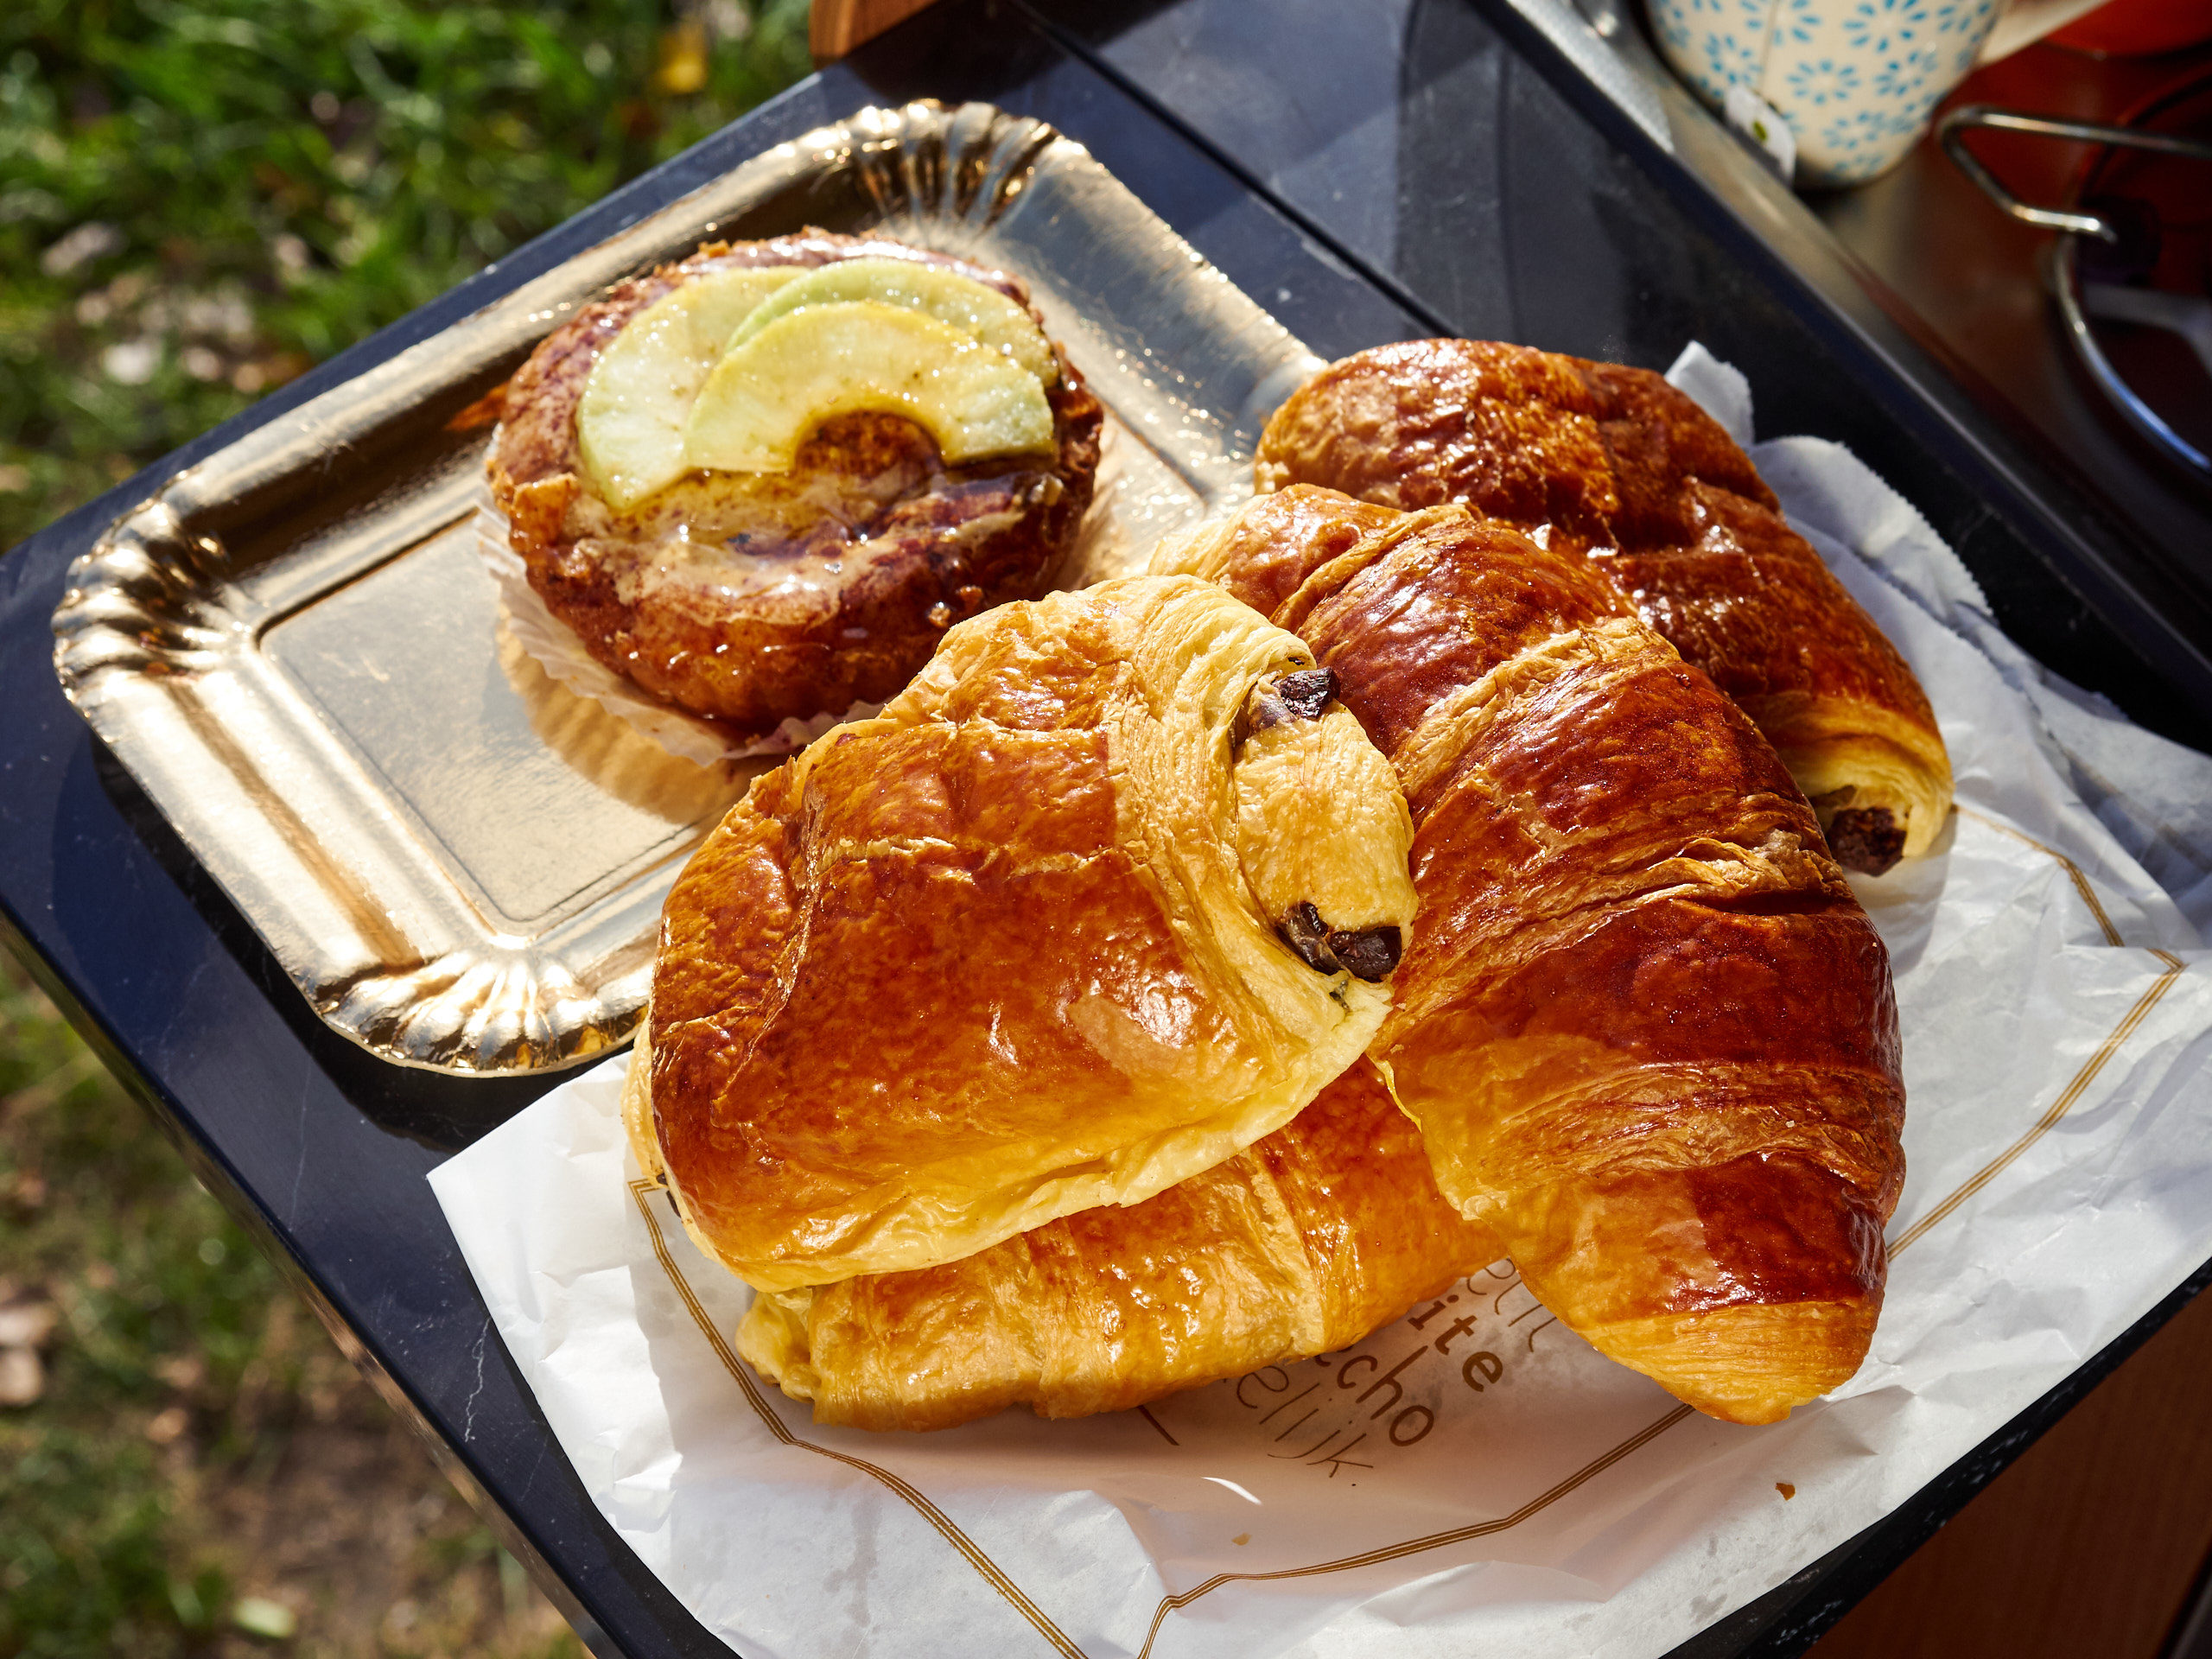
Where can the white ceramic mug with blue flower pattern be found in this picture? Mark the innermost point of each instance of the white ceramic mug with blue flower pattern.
(1857, 81)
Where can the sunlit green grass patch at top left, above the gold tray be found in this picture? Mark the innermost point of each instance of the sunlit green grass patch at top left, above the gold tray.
(202, 200)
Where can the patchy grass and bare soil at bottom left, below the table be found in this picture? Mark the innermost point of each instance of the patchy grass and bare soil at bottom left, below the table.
(196, 1421)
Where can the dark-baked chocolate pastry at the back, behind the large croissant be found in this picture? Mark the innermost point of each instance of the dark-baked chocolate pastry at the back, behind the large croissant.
(1618, 466)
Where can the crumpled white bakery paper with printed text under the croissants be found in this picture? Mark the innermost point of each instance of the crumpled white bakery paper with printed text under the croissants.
(1477, 1479)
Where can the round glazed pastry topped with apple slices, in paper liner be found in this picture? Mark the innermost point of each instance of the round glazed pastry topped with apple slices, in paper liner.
(808, 545)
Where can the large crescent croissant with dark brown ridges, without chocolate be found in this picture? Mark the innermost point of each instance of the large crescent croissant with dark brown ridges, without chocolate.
(1645, 1027)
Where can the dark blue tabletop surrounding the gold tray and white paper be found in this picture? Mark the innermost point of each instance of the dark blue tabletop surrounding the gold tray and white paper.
(1368, 176)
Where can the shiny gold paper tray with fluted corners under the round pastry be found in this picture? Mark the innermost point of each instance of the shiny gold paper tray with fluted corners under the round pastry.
(298, 651)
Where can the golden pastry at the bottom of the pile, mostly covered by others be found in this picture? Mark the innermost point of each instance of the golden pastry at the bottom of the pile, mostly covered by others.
(1302, 1244)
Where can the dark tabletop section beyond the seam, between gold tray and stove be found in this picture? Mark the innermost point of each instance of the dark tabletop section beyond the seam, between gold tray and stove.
(1450, 156)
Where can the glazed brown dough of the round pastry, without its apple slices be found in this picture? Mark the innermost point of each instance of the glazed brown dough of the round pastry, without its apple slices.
(751, 598)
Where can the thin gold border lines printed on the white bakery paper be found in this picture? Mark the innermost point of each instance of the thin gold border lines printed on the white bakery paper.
(999, 1580)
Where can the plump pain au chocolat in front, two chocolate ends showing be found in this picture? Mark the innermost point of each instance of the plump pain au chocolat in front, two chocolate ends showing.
(1107, 895)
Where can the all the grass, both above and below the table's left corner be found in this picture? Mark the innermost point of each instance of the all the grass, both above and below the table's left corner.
(198, 202)
